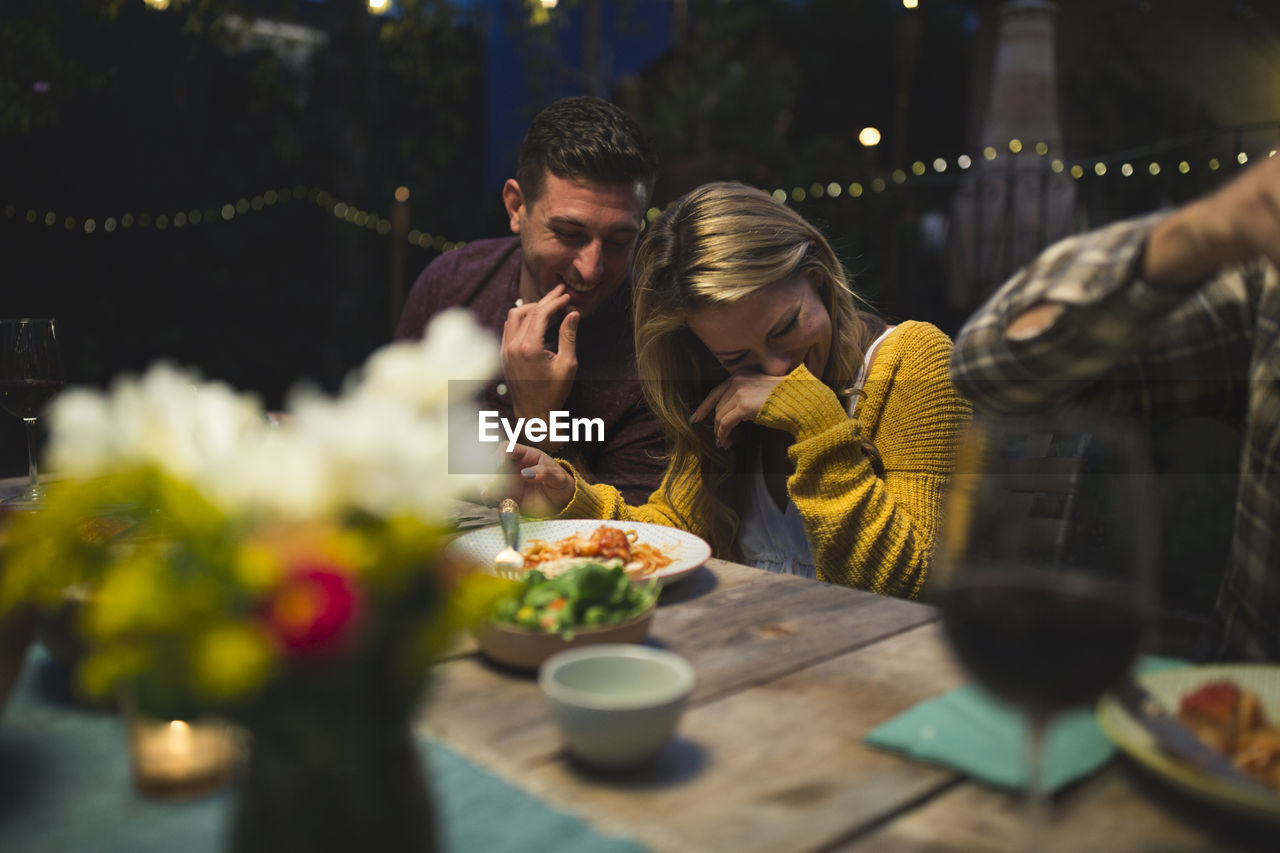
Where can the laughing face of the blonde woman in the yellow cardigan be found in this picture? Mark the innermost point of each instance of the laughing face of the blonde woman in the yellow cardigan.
(774, 331)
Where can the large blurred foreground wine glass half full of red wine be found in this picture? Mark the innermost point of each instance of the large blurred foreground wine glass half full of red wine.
(1046, 568)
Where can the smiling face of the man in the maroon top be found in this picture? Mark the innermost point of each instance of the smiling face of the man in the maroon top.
(578, 234)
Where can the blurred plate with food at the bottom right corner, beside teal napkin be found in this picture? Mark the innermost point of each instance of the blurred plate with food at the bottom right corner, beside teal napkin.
(1232, 708)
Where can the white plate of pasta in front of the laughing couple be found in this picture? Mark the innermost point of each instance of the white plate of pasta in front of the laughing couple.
(646, 551)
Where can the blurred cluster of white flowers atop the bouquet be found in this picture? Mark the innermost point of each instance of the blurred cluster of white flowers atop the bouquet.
(381, 448)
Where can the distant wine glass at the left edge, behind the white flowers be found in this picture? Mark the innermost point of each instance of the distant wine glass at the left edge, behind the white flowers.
(31, 373)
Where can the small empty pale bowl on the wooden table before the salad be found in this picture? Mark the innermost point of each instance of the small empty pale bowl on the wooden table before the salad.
(616, 705)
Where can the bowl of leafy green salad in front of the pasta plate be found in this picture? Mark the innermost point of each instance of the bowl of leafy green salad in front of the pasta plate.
(587, 605)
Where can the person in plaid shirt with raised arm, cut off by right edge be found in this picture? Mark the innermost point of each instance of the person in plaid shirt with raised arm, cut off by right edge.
(1167, 314)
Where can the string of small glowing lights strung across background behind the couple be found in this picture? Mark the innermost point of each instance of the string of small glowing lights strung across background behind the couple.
(1124, 166)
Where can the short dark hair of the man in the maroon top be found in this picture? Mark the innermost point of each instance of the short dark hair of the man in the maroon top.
(584, 139)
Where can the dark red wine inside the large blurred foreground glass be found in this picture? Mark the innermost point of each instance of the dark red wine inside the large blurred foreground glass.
(1041, 641)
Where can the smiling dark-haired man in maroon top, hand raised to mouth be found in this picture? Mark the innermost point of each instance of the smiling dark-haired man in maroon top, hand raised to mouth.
(559, 293)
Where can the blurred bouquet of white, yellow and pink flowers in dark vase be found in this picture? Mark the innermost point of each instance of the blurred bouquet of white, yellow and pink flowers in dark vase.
(286, 574)
